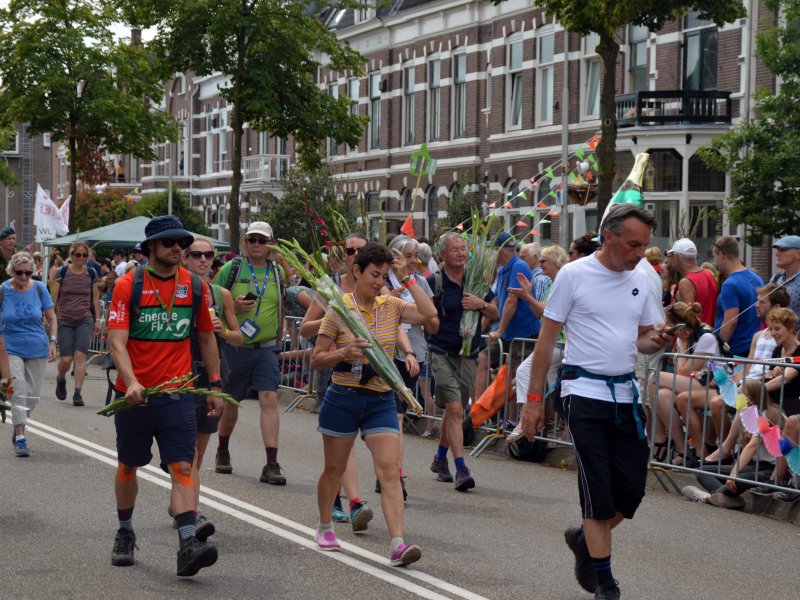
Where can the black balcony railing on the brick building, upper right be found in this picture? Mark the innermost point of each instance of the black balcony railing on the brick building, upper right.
(673, 106)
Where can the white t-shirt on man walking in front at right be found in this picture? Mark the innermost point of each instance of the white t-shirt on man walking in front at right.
(602, 311)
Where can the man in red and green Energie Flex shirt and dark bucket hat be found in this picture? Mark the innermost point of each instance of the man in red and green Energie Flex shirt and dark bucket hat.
(149, 335)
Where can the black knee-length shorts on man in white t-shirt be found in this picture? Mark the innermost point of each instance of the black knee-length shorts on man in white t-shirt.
(612, 459)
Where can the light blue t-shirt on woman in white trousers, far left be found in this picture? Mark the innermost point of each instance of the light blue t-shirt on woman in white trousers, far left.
(23, 331)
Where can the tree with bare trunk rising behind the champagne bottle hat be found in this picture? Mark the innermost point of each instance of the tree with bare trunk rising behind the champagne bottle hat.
(608, 19)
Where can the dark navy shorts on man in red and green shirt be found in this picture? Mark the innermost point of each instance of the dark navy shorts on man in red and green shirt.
(171, 420)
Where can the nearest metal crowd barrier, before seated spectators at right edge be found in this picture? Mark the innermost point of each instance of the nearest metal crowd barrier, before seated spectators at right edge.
(725, 429)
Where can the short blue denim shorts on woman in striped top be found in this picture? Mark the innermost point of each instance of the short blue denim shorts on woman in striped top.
(345, 410)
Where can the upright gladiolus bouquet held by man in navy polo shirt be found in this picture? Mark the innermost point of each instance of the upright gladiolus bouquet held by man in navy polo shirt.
(479, 270)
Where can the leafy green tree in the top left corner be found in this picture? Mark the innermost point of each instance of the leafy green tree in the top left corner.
(64, 73)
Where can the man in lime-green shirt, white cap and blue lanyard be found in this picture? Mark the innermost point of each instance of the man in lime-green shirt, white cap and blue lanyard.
(256, 284)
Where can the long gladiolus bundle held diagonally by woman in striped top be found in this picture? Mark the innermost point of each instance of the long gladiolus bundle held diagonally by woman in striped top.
(327, 289)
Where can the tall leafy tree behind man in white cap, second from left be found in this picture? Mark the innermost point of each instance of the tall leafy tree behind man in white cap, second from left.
(270, 53)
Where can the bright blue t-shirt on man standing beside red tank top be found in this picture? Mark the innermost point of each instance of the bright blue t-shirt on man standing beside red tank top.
(739, 291)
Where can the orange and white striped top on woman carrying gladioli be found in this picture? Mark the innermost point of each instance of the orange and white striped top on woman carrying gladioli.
(388, 310)
